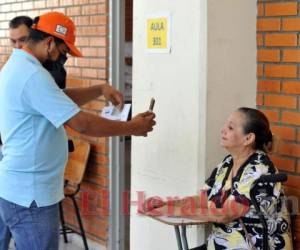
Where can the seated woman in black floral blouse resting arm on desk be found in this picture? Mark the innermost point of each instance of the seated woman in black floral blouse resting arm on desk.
(225, 199)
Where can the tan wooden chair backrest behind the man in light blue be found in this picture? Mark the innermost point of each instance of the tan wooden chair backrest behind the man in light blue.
(77, 162)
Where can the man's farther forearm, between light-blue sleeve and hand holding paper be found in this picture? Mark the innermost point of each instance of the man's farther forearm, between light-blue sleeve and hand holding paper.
(82, 96)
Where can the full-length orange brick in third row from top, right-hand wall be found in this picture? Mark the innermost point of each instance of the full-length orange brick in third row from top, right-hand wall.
(280, 39)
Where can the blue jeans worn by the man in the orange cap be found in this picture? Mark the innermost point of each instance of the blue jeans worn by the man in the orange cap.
(33, 228)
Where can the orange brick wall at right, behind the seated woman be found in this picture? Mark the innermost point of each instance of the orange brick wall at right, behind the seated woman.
(278, 71)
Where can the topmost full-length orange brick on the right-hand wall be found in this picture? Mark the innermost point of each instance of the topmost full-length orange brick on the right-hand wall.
(281, 9)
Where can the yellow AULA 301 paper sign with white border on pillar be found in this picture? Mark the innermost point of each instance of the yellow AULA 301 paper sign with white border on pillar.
(158, 33)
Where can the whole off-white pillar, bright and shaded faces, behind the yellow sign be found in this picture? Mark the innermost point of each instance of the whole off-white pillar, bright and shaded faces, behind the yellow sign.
(195, 87)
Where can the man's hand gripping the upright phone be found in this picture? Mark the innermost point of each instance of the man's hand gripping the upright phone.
(142, 123)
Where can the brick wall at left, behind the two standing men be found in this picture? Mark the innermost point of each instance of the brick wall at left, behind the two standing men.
(91, 19)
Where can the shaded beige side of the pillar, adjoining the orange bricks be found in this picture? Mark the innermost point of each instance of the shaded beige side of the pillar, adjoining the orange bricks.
(231, 77)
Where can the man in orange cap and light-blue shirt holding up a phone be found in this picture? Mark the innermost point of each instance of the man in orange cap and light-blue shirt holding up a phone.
(33, 111)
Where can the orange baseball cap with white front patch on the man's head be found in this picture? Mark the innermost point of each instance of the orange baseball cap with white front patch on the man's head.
(59, 25)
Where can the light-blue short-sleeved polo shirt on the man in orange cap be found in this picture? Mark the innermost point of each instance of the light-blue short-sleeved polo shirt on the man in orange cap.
(35, 149)
